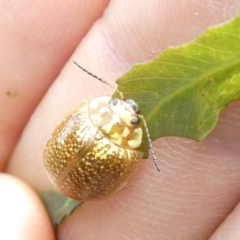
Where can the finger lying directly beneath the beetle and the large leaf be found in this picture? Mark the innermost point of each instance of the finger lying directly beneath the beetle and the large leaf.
(199, 182)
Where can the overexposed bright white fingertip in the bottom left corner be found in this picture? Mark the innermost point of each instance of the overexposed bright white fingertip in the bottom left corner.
(23, 215)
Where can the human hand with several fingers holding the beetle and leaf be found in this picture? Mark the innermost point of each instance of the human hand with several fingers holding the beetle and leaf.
(199, 183)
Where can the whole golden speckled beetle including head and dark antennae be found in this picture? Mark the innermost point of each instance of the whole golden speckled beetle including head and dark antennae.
(92, 152)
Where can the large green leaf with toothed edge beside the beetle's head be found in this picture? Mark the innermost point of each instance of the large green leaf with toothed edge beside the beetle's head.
(182, 91)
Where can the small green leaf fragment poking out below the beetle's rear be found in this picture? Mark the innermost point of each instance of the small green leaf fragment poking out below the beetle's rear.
(57, 204)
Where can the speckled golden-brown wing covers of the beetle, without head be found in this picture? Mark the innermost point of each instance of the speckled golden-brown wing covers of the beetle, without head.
(83, 165)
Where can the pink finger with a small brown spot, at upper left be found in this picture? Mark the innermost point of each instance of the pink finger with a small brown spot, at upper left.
(37, 39)
